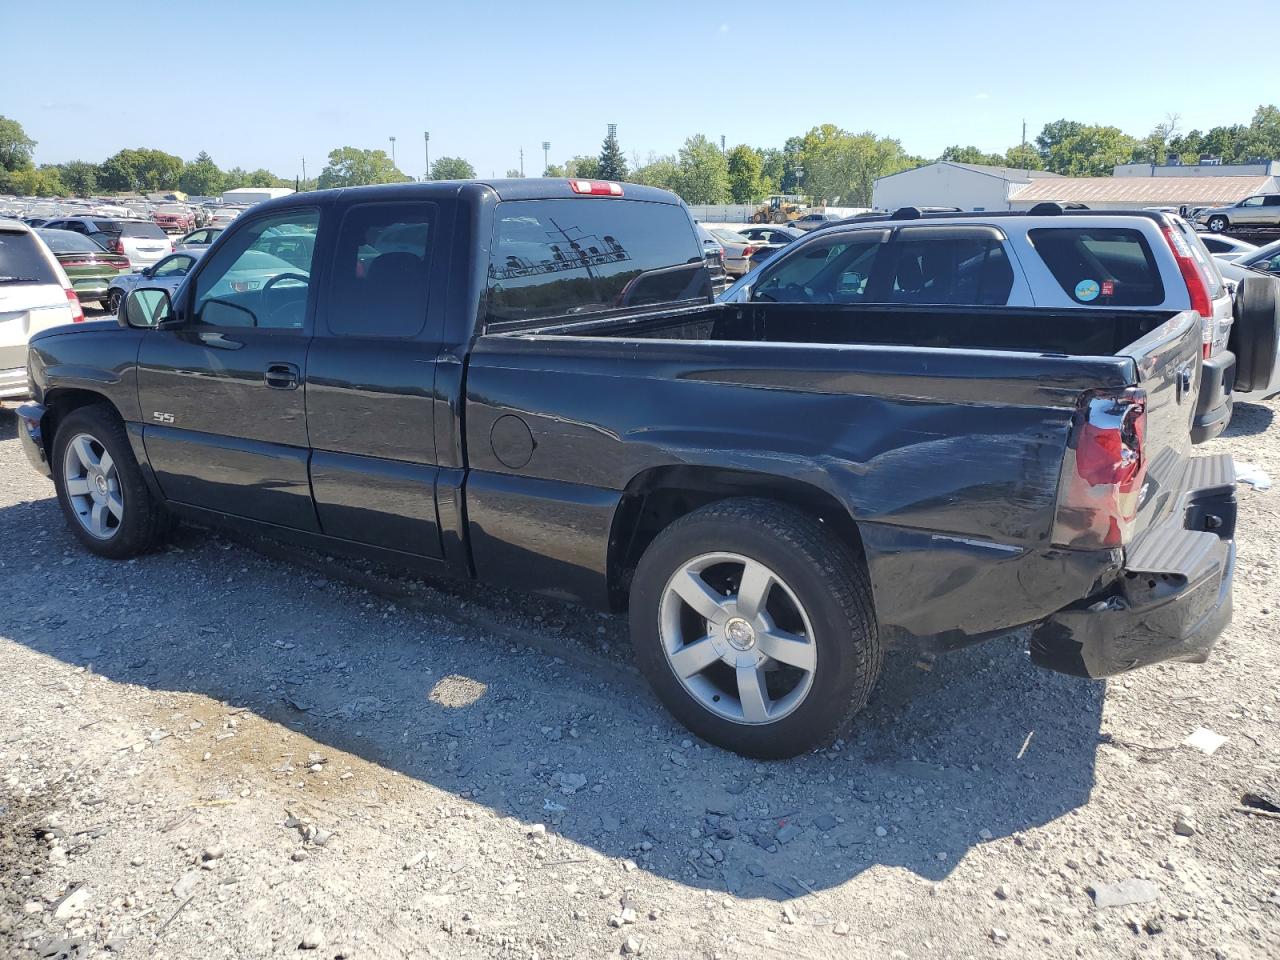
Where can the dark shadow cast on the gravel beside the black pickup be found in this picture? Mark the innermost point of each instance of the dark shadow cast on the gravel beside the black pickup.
(460, 688)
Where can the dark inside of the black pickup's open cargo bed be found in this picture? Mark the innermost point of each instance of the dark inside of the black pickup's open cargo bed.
(1068, 332)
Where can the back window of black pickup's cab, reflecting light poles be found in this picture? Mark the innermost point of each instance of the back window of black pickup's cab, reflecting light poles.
(561, 258)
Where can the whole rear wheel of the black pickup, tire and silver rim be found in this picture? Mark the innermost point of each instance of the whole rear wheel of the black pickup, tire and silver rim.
(756, 628)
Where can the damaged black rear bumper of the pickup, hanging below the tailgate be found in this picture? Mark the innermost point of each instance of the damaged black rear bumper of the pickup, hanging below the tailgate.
(1173, 598)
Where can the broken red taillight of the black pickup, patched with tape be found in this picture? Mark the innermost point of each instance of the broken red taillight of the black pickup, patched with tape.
(1104, 472)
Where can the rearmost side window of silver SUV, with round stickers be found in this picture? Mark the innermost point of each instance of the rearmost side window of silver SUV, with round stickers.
(1103, 267)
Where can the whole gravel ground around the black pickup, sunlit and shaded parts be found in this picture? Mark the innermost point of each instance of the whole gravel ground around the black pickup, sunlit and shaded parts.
(228, 749)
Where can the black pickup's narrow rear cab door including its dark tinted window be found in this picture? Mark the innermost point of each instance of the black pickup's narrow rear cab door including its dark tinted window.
(371, 383)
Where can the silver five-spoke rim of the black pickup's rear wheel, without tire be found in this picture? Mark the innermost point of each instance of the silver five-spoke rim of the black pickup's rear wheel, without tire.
(738, 638)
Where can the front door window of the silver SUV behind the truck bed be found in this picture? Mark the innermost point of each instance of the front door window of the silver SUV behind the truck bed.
(836, 269)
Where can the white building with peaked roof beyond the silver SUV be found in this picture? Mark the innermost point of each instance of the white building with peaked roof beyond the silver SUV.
(949, 184)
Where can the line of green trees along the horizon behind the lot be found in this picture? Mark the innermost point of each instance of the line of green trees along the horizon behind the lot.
(828, 163)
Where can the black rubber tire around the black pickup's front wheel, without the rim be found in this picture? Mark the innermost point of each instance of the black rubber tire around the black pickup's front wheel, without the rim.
(135, 533)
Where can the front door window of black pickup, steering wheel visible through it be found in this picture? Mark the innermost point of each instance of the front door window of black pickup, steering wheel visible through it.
(263, 277)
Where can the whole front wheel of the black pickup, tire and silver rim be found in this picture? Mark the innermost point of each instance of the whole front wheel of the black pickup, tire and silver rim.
(100, 487)
